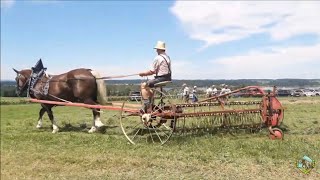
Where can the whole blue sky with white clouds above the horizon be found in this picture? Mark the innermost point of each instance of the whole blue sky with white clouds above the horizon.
(205, 40)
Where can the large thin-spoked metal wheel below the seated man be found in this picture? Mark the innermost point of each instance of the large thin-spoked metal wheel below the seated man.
(149, 127)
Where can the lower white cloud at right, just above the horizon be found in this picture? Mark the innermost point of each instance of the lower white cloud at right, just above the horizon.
(281, 62)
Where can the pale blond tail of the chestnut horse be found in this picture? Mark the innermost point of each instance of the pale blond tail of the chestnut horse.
(101, 88)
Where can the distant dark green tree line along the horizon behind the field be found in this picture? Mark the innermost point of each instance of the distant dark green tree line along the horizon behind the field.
(124, 87)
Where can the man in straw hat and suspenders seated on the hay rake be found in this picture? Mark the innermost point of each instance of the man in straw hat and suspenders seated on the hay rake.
(161, 67)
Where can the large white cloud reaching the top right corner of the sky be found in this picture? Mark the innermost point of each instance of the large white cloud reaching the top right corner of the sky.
(215, 22)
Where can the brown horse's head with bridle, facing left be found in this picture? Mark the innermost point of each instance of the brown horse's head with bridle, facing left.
(22, 80)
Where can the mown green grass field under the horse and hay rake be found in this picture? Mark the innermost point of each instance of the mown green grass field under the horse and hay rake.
(30, 153)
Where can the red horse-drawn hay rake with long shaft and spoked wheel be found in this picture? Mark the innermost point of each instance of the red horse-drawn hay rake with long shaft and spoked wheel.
(170, 117)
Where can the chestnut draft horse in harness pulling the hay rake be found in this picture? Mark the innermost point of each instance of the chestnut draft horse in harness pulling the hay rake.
(78, 85)
